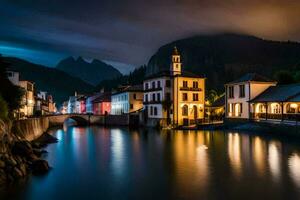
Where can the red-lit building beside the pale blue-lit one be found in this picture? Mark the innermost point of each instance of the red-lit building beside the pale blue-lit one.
(102, 104)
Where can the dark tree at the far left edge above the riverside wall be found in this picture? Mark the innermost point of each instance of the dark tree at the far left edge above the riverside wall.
(10, 93)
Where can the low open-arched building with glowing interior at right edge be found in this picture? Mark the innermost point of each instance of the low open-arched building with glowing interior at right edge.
(280, 102)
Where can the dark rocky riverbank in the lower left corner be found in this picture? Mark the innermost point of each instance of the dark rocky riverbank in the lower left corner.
(20, 158)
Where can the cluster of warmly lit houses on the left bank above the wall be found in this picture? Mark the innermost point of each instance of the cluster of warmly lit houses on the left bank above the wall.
(33, 102)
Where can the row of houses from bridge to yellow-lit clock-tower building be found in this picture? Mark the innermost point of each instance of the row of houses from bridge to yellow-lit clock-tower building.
(168, 97)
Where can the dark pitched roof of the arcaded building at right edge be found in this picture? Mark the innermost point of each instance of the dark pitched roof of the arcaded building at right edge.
(280, 93)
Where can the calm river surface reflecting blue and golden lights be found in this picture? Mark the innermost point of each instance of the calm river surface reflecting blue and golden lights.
(117, 163)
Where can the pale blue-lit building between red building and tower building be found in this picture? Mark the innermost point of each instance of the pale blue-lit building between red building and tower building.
(128, 99)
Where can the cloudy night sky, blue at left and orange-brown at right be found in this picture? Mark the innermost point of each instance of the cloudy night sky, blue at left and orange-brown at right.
(128, 32)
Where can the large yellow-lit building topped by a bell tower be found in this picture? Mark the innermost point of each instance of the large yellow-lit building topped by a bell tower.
(174, 96)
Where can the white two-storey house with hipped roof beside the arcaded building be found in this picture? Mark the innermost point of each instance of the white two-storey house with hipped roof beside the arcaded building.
(240, 92)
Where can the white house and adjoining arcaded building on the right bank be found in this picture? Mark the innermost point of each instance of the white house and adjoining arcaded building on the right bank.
(259, 98)
